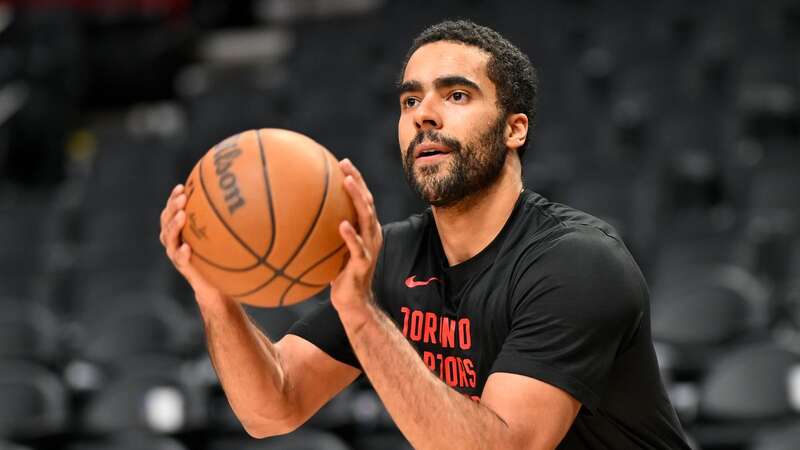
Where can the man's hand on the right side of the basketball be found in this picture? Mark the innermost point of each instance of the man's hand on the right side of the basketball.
(351, 291)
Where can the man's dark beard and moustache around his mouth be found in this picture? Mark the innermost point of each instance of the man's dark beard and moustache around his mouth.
(472, 167)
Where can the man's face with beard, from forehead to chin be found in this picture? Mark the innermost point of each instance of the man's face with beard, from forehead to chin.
(450, 130)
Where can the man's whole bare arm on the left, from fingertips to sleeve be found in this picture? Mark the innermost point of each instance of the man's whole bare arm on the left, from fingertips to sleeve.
(272, 388)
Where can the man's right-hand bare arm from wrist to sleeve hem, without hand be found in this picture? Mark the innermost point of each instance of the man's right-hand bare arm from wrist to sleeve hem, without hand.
(515, 411)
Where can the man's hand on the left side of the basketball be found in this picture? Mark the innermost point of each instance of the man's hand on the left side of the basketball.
(173, 217)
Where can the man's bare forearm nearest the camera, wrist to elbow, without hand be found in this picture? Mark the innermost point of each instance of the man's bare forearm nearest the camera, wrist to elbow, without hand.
(429, 413)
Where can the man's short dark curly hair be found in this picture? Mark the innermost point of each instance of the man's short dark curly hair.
(509, 69)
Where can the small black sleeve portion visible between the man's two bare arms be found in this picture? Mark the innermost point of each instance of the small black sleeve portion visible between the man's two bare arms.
(323, 328)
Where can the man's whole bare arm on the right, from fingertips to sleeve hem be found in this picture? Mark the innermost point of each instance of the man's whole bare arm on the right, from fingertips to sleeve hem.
(515, 411)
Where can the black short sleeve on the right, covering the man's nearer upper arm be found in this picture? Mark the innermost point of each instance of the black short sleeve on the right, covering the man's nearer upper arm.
(575, 307)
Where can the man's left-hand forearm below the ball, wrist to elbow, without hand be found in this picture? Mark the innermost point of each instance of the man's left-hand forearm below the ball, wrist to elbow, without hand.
(249, 368)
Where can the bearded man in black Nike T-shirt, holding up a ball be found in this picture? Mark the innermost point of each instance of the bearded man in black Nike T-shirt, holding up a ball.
(493, 320)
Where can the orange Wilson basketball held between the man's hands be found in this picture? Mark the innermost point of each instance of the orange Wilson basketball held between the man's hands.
(263, 210)
